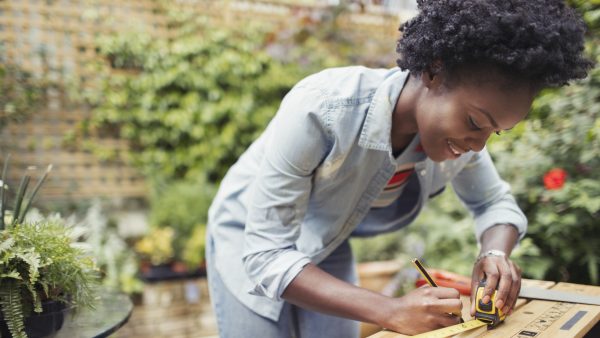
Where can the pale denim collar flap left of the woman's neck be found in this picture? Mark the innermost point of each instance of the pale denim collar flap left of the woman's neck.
(377, 129)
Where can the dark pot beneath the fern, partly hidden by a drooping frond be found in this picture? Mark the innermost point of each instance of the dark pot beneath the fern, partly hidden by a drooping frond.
(40, 325)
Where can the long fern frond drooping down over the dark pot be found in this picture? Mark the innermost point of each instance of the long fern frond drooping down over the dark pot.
(10, 301)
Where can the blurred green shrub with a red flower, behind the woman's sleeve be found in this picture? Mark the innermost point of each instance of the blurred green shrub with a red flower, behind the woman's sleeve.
(561, 134)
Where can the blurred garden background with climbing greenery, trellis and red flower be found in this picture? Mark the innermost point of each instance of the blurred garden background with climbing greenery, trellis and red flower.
(142, 105)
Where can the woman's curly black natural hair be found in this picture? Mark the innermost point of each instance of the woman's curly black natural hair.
(539, 42)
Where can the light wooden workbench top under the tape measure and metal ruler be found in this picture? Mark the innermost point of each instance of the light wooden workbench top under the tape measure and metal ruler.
(536, 318)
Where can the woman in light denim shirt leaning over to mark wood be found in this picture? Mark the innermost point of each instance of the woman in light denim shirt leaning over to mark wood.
(358, 151)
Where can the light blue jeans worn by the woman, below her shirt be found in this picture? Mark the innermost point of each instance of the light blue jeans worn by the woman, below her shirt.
(235, 320)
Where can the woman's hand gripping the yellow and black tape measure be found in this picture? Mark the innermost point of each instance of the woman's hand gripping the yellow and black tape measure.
(499, 271)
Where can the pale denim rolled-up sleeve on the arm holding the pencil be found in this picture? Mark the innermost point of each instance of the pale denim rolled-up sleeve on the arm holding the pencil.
(297, 142)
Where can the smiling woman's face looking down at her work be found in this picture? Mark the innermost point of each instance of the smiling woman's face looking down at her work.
(453, 121)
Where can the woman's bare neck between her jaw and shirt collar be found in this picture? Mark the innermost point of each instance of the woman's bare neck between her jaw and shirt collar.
(404, 122)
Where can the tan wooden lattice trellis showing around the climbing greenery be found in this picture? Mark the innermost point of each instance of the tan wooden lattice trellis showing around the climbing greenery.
(56, 39)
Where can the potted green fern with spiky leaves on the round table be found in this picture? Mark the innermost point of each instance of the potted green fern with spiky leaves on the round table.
(42, 274)
